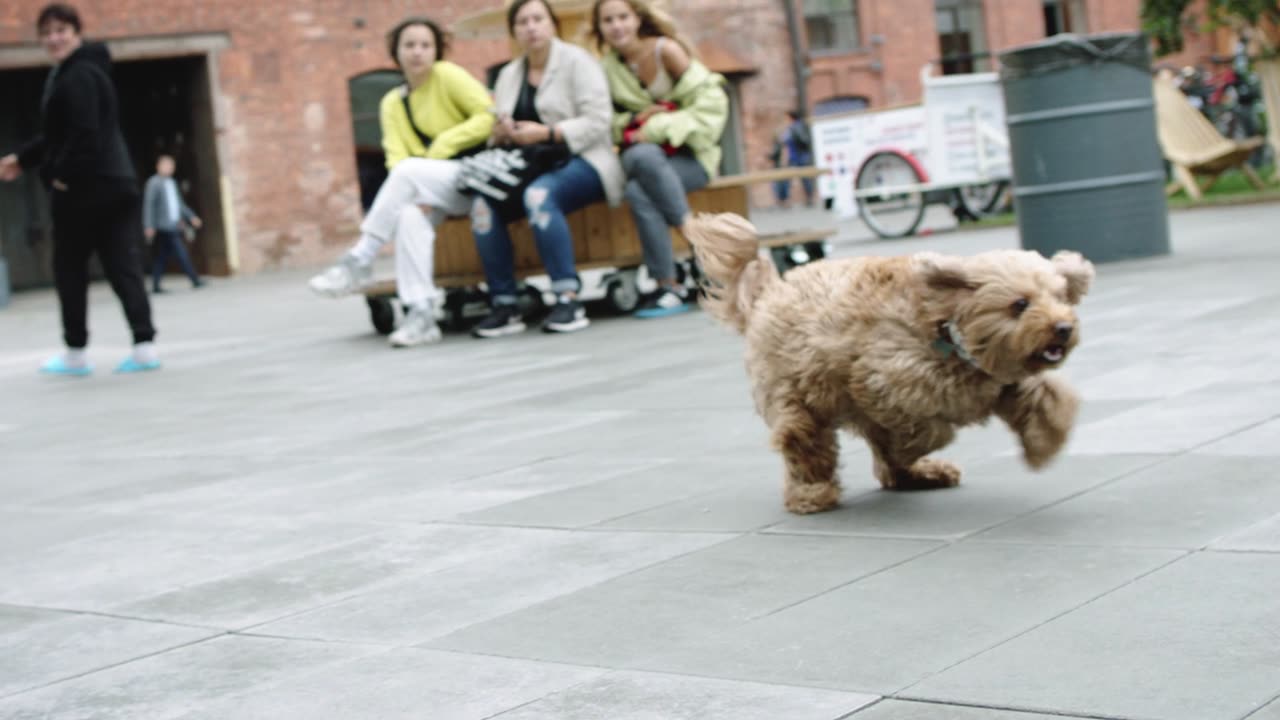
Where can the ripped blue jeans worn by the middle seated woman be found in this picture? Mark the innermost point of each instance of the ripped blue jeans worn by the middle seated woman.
(547, 200)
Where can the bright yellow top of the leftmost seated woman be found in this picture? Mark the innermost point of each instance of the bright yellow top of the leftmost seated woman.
(452, 108)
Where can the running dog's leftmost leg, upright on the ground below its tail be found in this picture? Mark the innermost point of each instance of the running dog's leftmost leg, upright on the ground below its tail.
(810, 449)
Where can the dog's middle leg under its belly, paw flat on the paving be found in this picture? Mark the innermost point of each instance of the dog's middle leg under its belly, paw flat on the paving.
(900, 461)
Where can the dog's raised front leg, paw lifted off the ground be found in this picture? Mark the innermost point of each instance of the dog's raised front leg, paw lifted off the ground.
(1041, 411)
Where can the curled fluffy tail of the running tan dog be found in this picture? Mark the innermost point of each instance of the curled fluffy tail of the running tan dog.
(734, 268)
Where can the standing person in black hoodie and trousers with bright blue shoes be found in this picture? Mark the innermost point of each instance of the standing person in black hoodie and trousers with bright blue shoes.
(84, 161)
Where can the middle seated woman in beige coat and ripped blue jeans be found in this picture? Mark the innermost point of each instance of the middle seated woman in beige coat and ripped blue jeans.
(556, 94)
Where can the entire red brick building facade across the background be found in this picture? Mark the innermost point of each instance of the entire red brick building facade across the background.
(285, 103)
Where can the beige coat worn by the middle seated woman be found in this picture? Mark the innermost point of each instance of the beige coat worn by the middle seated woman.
(575, 97)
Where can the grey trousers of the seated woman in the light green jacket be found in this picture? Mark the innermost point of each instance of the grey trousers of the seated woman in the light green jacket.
(656, 192)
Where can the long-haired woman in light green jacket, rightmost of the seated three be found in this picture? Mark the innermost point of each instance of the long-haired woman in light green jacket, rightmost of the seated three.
(670, 112)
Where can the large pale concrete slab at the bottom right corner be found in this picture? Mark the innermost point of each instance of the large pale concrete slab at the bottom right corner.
(1173, 649)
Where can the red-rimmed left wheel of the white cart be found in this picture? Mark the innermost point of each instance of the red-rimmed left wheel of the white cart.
(897, 213)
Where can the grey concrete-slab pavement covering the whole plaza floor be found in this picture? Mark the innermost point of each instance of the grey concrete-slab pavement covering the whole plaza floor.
(611, 498)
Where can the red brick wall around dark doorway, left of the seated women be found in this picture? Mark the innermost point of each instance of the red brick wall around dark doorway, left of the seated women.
(284, 93)
